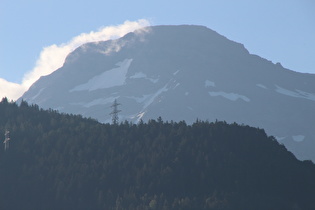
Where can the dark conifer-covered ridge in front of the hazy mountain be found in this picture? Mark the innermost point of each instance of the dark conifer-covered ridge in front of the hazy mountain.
(63, 161)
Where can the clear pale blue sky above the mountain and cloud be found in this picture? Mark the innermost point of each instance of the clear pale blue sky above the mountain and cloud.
(278, 30)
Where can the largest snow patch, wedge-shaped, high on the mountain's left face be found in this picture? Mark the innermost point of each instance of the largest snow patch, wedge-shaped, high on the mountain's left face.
(110, 78)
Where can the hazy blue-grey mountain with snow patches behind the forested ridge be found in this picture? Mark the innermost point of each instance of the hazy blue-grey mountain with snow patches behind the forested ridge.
(183, 73)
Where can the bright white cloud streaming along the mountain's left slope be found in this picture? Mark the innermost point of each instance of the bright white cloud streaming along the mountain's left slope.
(52, 57)
